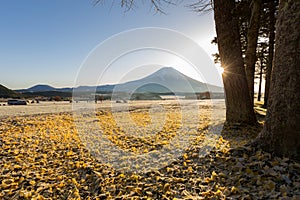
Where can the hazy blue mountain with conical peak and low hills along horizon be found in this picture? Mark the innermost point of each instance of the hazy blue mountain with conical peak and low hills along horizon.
(166, 80)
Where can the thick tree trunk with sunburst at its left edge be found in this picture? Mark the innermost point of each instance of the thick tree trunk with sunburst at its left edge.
(238, 105)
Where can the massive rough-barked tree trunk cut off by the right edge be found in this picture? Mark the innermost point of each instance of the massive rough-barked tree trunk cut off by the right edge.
(281, 132)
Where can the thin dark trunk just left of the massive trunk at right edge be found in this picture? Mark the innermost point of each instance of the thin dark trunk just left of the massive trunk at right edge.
(272, 8)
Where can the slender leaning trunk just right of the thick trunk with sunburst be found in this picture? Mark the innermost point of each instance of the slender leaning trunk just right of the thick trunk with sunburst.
(252, 36)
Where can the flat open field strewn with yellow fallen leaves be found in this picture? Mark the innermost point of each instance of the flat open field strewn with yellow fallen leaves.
(49, 152)
